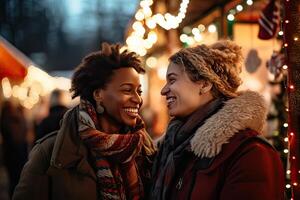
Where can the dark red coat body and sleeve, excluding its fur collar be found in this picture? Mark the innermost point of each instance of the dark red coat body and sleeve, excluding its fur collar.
(245, 164)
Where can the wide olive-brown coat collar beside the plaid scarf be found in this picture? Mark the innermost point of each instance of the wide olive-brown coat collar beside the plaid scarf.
(68, 150)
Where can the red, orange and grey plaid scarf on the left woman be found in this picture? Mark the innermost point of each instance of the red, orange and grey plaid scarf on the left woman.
(114, 155)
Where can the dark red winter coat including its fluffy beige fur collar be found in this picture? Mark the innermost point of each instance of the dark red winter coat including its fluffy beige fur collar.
(226, 160)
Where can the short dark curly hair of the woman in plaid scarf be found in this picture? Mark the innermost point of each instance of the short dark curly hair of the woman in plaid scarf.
(96, 69)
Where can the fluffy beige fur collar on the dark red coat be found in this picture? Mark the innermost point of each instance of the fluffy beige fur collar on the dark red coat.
(248, 110)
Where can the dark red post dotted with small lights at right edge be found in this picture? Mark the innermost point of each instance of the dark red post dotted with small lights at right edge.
(291, 22)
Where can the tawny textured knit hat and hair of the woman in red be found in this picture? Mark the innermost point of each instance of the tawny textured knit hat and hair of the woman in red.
(219, 63)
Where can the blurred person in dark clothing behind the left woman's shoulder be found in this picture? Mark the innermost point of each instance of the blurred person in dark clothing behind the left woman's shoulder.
(58, 106)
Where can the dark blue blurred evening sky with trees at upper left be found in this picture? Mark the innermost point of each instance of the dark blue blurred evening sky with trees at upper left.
(56, 34)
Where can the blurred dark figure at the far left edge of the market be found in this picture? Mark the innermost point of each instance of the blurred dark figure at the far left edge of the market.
(14, 130)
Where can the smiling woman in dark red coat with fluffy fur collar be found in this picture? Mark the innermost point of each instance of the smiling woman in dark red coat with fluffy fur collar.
(211, 149)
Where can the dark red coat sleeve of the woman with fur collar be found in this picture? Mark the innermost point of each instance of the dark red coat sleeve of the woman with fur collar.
(255, 173)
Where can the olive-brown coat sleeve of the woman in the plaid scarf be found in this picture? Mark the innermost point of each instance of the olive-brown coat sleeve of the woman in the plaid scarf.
(33, 183)
